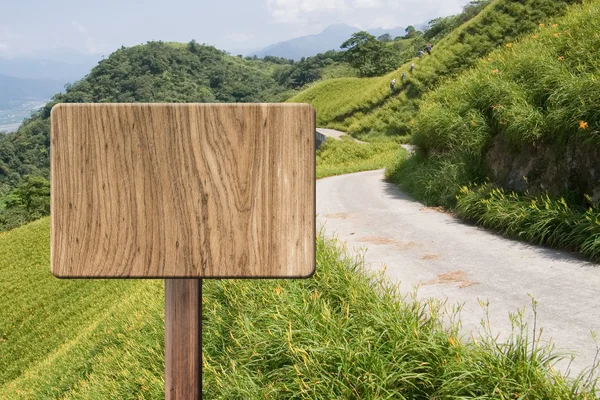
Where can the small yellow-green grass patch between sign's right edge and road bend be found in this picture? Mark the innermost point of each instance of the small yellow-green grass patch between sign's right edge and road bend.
(336, 157)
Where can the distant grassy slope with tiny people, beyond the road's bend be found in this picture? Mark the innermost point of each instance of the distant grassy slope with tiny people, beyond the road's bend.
(365, 105)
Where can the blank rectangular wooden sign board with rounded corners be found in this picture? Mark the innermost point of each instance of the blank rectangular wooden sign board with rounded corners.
(182, 190)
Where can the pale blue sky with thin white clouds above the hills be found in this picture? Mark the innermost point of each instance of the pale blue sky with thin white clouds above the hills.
(39, 27)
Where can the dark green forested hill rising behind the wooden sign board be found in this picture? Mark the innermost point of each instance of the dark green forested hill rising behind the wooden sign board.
(153, 72)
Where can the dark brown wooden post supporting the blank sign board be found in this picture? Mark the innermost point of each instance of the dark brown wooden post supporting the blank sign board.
(183, 339)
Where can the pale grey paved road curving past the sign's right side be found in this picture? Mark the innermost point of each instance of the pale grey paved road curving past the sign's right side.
(461, 263)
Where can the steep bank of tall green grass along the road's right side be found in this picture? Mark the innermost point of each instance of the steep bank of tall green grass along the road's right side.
(526, 118)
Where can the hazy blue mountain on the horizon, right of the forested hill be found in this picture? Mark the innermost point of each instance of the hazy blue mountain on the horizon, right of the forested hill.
(329, 39)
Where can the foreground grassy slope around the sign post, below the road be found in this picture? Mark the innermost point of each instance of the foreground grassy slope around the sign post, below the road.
(341, 334)
